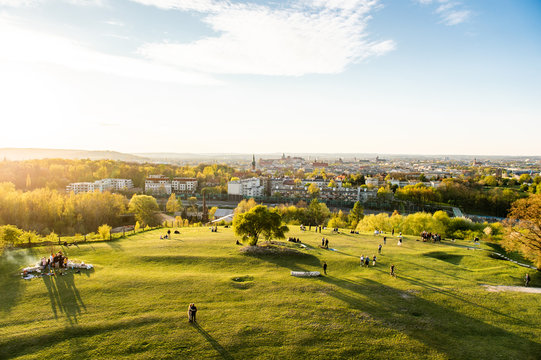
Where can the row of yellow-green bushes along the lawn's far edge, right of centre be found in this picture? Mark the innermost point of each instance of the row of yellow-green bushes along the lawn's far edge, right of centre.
(437, 223)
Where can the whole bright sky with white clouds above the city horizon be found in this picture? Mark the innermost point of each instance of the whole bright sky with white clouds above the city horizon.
(297, 76)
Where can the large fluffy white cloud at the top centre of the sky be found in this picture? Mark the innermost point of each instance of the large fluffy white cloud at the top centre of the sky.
(318, 37)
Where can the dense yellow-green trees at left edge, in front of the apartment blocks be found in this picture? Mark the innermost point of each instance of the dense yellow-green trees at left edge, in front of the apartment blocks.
(45, 210)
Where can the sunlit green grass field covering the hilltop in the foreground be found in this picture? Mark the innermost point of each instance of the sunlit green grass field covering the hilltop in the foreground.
(133, 305)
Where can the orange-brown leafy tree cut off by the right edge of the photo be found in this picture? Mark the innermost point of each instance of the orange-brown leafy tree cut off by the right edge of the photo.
(523, 228)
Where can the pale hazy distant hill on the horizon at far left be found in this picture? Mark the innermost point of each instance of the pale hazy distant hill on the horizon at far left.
(28, 154)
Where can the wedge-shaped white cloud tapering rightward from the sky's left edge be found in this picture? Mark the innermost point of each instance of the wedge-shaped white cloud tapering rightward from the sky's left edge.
(22, 46)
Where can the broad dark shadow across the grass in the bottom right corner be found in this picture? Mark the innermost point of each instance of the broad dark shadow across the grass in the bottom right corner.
(455, 334)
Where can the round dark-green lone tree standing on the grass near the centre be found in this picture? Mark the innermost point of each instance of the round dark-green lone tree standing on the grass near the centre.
(259, 221)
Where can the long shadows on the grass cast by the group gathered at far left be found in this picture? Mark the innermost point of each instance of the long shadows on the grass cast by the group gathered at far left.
(64, 296)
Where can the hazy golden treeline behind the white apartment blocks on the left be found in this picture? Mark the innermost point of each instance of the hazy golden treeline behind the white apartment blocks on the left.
(58, 173)
